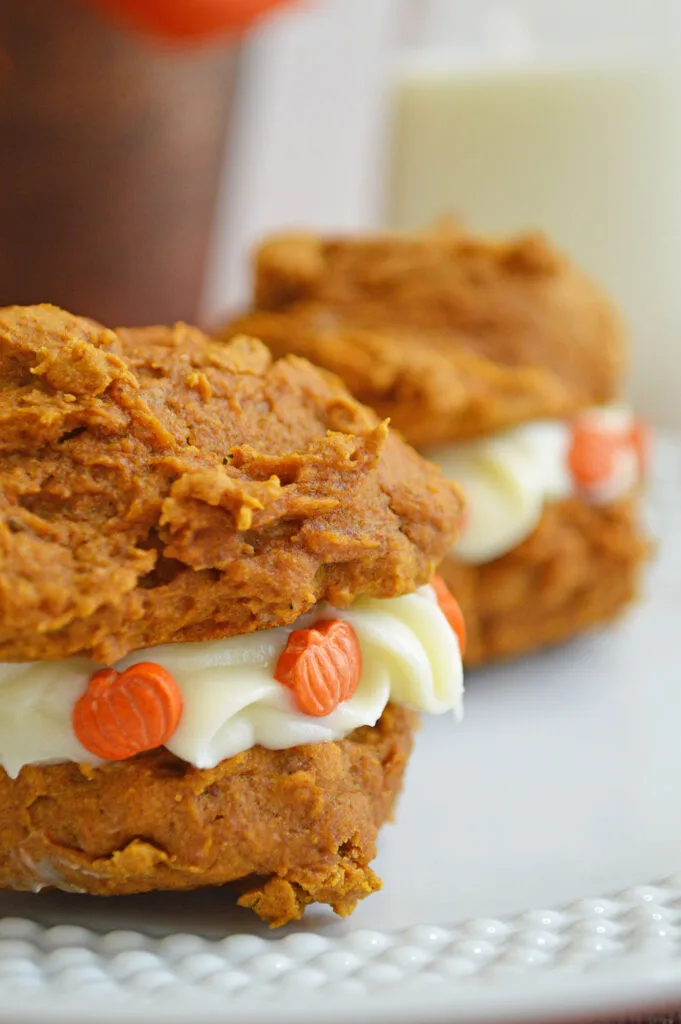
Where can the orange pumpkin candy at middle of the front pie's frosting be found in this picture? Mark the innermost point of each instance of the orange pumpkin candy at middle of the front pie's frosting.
(322, 665)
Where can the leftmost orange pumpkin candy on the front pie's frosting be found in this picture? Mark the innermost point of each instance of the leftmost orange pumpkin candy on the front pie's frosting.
(124, 714)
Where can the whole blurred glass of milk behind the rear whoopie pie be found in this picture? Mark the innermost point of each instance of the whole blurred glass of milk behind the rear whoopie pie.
(560, 115)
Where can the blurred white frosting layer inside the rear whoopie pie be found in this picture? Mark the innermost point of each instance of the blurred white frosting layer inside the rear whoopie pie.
(509, 478)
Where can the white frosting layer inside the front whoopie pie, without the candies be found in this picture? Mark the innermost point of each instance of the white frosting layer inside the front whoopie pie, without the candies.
(231, 699)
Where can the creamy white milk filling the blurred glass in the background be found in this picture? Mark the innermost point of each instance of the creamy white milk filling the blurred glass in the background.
(589, 153)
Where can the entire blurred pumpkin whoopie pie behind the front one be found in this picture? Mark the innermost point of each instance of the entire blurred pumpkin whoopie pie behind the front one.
(503, 363)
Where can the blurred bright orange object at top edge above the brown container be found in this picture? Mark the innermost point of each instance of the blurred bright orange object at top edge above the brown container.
(189, 20)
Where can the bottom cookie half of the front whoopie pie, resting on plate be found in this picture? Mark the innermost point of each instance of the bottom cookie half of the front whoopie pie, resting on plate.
(301, 826)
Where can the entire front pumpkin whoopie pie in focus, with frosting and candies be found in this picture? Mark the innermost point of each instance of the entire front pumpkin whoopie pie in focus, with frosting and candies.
(217, 617)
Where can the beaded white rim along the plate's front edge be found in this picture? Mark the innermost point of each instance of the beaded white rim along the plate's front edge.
(593, 957)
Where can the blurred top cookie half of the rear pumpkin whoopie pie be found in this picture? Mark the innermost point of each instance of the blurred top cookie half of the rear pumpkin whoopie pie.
(450, 335)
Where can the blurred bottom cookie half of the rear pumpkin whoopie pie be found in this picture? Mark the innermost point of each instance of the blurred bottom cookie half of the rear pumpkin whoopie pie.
(578, 571)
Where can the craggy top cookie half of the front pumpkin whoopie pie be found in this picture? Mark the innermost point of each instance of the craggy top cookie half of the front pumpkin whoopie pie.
(156, 487)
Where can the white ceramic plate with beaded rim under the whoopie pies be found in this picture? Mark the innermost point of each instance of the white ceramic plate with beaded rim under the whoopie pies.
(535, 869)
